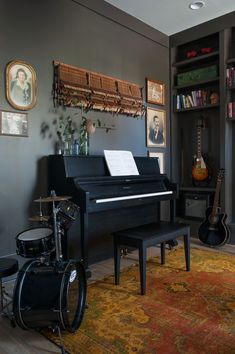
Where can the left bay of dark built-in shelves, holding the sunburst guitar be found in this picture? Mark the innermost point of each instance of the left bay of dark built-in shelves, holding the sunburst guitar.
(193, 102)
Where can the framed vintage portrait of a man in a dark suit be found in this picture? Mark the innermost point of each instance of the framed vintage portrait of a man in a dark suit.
(155, 127)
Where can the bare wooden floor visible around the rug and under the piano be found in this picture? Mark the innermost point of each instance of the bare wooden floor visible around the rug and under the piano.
(19, 341)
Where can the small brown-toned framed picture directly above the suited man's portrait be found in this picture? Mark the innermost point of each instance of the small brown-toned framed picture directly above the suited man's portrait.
(155, 92)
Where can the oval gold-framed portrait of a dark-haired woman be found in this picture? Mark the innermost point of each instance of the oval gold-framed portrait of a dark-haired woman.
(20, 85)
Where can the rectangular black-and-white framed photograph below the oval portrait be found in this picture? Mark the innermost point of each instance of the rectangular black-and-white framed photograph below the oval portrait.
(13, 123)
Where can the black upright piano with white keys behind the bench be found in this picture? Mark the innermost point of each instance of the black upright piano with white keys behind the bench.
(107, 203)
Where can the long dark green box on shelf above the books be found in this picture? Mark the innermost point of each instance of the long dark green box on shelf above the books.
(207, 73)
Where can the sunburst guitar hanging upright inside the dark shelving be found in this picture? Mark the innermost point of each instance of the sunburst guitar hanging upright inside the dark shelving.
(200, 171)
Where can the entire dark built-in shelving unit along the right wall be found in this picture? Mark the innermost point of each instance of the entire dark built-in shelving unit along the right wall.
(217, 130)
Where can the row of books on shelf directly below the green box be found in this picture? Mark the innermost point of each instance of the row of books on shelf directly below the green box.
(196, 98)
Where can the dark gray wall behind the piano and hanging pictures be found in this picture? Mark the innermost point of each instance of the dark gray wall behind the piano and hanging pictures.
(39, 32)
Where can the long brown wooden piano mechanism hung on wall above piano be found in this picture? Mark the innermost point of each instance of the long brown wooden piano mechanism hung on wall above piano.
(76, 87)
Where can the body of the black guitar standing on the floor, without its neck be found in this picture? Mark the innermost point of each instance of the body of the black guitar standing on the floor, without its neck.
(213, 231)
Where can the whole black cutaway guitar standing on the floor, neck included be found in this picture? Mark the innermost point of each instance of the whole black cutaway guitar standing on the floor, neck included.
(213, 231)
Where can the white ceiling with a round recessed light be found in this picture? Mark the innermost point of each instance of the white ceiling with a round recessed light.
(172, 16)
